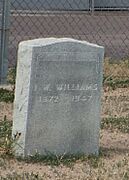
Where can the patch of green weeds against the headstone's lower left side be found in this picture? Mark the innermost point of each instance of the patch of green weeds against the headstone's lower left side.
(7, 143)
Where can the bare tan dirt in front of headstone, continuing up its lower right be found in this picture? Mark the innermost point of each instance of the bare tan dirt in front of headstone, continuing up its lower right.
(114, 165)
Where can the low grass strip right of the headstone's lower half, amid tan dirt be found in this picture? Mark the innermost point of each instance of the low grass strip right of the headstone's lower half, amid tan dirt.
(121, 124)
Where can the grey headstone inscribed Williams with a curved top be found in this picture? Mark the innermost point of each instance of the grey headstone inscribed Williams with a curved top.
(57, 99)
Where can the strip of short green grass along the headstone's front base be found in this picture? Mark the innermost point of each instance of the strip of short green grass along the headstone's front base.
(67, 160)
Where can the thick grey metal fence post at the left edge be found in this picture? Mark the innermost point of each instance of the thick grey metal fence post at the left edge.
(4, 41)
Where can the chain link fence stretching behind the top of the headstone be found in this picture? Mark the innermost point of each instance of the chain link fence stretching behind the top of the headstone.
(84, 19)
